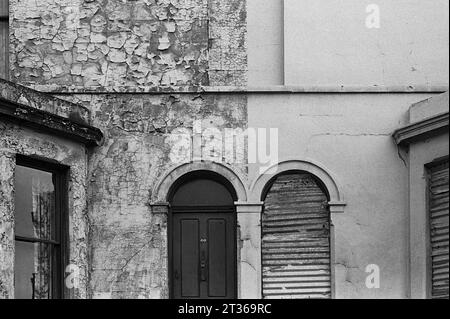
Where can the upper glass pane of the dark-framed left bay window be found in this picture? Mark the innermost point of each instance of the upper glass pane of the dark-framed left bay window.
(35, 203)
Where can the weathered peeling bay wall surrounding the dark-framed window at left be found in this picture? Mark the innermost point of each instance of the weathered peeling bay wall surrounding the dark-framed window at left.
(18, 140)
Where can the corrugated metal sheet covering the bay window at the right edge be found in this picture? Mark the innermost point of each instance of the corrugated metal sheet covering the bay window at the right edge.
(439, 207)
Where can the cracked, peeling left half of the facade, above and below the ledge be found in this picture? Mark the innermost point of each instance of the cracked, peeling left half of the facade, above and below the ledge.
(119, 47)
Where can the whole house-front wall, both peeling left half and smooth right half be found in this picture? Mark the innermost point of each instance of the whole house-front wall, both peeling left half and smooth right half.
(102, 53)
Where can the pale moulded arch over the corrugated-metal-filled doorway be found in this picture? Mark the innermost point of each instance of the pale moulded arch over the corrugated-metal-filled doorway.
(336, 200)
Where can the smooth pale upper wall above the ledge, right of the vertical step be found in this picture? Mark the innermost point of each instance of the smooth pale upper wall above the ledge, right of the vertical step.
(327, 43)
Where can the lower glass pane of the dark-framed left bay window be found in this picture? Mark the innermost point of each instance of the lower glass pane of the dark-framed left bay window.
(32, 277)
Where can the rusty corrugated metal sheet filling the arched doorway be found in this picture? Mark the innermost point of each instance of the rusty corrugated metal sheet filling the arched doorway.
(296, 239)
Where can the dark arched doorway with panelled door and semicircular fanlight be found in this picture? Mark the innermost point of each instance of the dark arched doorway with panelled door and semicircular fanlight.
(202, 237)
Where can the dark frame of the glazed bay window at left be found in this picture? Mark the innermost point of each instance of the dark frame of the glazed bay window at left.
(60, 244)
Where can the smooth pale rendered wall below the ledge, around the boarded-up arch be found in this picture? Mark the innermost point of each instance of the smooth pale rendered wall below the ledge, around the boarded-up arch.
(350, 135)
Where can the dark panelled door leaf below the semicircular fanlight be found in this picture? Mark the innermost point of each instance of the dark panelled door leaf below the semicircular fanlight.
(203, 255)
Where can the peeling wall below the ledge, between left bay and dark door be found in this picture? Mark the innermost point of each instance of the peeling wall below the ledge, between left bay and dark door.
(128, 241)
